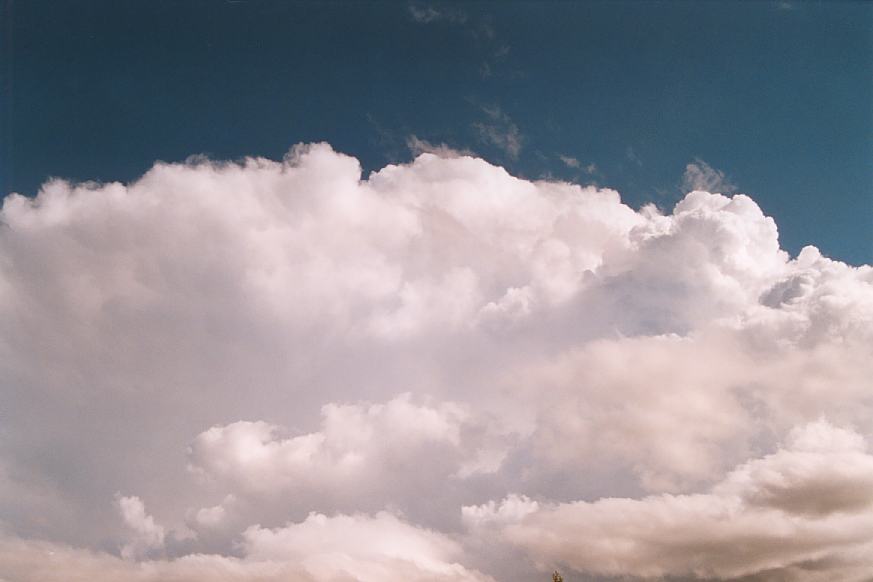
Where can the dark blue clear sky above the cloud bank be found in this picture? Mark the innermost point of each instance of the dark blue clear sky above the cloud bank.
(778, 95)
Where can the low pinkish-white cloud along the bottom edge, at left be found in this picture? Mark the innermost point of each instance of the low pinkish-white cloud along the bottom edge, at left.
(379, 548)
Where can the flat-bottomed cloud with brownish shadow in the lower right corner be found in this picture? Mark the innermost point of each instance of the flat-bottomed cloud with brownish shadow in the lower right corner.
(797, 514)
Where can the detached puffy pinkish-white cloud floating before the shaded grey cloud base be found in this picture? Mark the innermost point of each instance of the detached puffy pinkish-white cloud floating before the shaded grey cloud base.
(356, 446)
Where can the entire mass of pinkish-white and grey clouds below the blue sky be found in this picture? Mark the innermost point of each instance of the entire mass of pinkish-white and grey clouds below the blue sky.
(282, 370)
